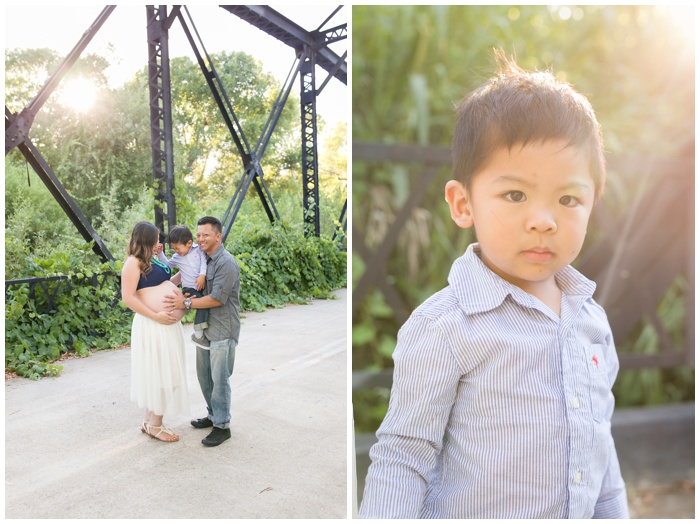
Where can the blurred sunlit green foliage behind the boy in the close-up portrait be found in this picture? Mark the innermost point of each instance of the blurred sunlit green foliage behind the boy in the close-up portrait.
(412, 64)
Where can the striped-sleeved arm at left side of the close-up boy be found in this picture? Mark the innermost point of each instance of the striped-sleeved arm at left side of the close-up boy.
(426, 377)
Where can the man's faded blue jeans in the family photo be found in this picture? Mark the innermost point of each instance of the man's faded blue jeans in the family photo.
(214, 369)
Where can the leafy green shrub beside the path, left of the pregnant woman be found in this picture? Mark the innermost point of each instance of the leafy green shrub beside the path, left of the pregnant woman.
(65, 314)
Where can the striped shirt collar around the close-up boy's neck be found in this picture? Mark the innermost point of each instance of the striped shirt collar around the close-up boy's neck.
(478, 289)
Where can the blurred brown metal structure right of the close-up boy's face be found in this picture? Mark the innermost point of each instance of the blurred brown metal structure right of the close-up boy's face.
(642, 253)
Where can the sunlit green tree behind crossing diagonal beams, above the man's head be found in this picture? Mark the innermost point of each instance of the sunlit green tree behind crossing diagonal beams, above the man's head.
(207, 156)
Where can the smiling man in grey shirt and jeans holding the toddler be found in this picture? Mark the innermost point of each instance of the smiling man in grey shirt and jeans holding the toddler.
(215, 362)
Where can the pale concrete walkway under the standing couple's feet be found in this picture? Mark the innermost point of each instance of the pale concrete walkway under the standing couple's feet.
(73, 448)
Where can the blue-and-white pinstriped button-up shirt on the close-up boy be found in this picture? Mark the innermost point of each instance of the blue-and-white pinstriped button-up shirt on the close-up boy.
(499, 408)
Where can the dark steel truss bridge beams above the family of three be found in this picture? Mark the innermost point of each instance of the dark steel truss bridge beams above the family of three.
(311, 52)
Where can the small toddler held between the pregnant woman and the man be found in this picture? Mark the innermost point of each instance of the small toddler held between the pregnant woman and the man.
(192, 264)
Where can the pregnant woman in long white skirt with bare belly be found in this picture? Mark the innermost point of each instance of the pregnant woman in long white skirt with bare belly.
(158, 373)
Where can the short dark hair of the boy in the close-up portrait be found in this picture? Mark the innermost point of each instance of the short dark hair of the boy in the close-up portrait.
(520, 107)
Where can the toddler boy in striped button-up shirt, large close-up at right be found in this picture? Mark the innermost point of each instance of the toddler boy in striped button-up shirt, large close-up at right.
(501, 398)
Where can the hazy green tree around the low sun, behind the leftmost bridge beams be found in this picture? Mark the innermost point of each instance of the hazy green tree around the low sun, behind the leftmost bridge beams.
(88, 151)
